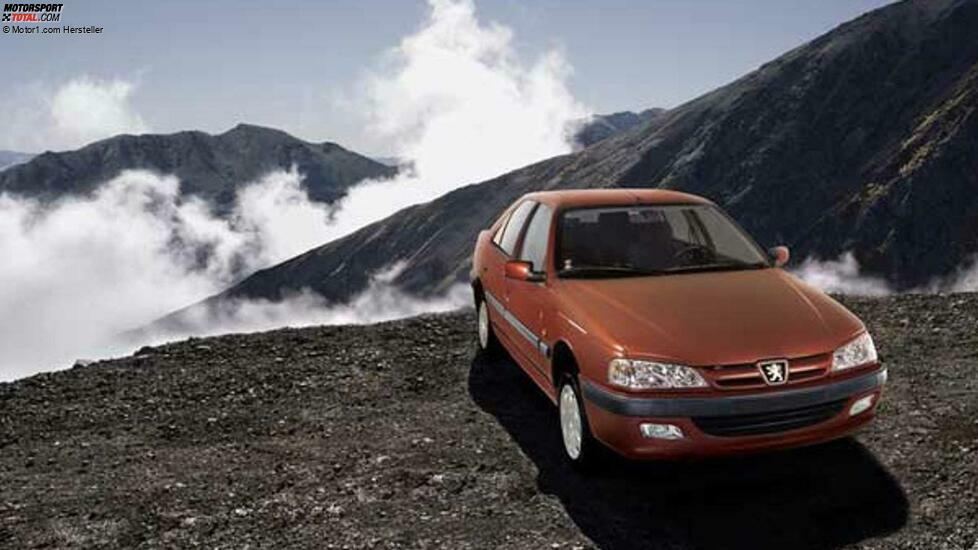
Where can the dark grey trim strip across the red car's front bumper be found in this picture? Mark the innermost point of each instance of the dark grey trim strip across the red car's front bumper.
(733, 404)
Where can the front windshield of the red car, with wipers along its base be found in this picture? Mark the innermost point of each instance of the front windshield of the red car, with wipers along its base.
(619, 241)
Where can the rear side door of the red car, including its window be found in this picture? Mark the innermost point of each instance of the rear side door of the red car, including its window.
(504, 244)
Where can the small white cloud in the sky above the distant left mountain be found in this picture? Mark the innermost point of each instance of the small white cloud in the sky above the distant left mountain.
(70, 115)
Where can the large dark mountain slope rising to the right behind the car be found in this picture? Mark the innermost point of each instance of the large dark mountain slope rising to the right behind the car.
(862, 140)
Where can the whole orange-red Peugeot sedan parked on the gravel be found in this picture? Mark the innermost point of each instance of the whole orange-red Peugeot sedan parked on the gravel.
(660, 329)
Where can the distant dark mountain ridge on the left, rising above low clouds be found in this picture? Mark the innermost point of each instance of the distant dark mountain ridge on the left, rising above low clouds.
(209, 166)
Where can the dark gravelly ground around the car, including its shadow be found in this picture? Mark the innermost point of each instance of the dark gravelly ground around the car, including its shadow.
(396, 435)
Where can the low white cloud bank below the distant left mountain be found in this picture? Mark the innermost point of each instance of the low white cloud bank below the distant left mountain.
(79, 271)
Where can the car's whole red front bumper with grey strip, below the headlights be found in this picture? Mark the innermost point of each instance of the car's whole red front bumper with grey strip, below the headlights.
(615, 418)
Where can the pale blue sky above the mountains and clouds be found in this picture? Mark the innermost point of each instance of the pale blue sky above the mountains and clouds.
(210, 64)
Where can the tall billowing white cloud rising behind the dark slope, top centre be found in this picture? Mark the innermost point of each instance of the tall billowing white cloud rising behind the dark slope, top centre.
(458, 103)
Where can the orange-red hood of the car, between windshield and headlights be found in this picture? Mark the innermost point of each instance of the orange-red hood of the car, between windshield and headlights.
(712, 318)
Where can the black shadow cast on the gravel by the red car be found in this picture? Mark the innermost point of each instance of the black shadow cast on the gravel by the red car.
(816, 497)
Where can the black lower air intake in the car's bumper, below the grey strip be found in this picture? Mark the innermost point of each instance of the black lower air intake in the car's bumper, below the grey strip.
(768, 422)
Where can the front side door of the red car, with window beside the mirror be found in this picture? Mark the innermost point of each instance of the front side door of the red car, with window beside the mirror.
(527, 300)
